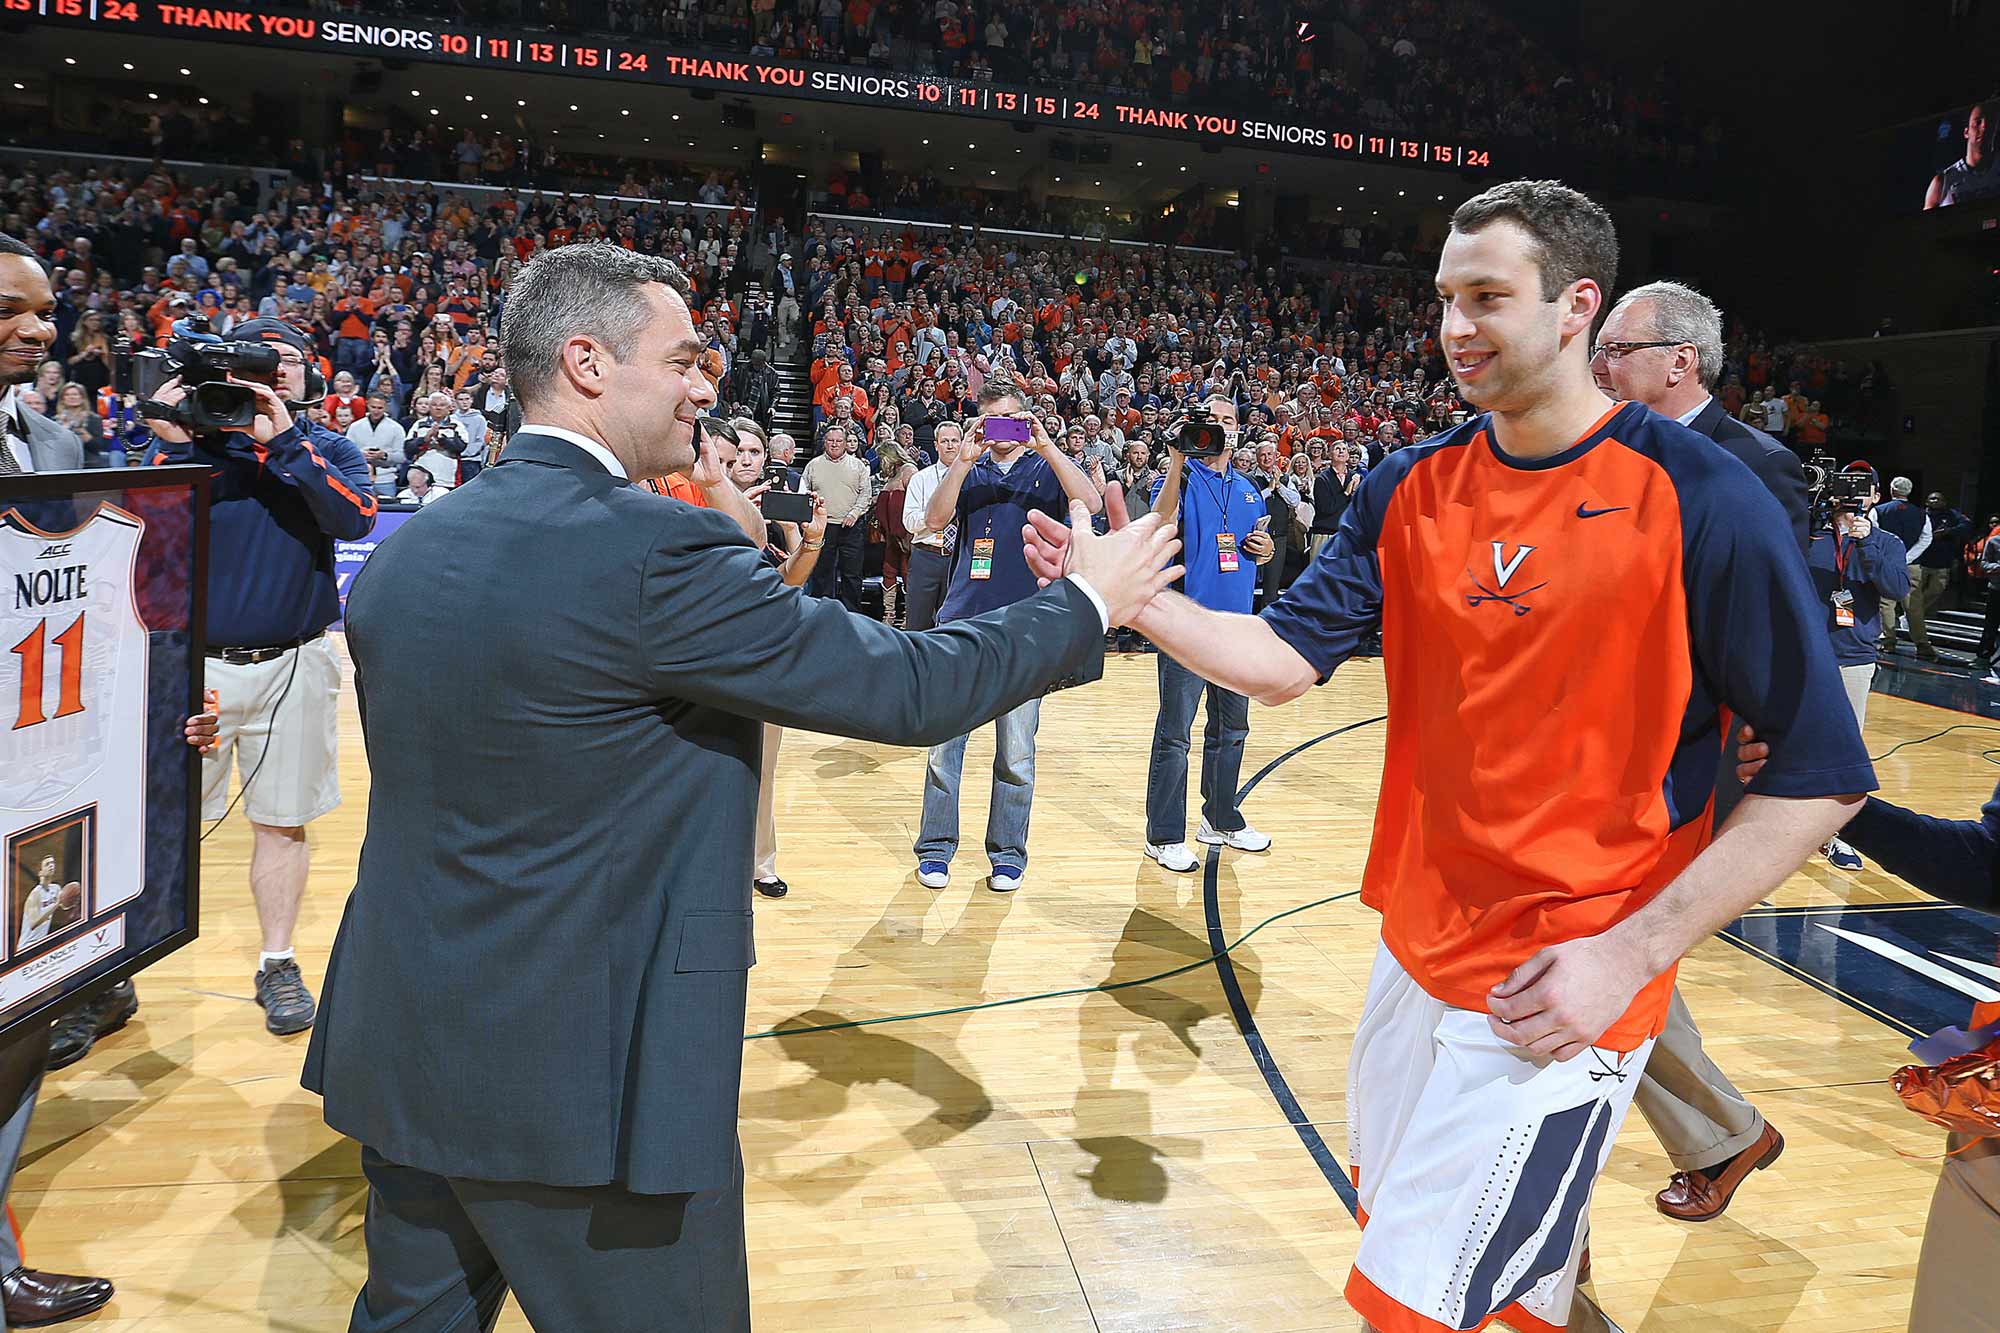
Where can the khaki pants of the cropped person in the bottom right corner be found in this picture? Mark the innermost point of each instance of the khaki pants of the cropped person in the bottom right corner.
(1957, 1278)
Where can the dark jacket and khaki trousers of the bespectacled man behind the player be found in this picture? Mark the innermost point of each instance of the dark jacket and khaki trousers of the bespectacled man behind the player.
(1691, 1106)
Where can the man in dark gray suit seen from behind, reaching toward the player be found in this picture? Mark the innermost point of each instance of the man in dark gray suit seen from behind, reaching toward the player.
(535, 1006)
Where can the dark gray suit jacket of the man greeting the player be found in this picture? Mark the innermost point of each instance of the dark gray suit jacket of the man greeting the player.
(541, 972)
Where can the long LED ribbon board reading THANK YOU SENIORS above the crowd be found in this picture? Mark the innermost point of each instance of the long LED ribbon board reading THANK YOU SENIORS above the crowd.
(655, 63)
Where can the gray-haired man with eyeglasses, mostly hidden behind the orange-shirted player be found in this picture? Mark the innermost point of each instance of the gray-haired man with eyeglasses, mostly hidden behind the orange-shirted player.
(1663, 347)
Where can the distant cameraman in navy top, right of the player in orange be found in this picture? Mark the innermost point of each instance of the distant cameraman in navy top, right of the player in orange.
(1857, 567)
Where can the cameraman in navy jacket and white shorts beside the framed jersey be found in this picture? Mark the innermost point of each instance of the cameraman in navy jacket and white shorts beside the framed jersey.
(283, 493)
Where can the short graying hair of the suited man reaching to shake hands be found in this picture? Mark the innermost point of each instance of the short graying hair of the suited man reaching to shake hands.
(593, 289)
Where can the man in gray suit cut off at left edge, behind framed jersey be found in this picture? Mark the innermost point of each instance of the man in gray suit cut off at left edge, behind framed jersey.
(29, 443)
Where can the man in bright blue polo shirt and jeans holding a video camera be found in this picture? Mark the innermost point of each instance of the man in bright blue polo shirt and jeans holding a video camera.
(1223, 545)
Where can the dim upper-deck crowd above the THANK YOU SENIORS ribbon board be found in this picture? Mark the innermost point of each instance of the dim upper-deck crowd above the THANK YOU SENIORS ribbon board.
(1439, 69)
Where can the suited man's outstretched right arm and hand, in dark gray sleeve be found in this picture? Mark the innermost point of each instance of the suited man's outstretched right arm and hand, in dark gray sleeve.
(725, 631)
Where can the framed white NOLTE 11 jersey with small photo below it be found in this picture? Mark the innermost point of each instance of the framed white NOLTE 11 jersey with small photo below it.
(103, 583)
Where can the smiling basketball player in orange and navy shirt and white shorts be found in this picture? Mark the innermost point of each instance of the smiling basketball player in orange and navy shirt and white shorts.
(1569, 593)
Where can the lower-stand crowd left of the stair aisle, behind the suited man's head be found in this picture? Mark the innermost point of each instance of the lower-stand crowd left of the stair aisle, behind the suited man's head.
(401, 291)
